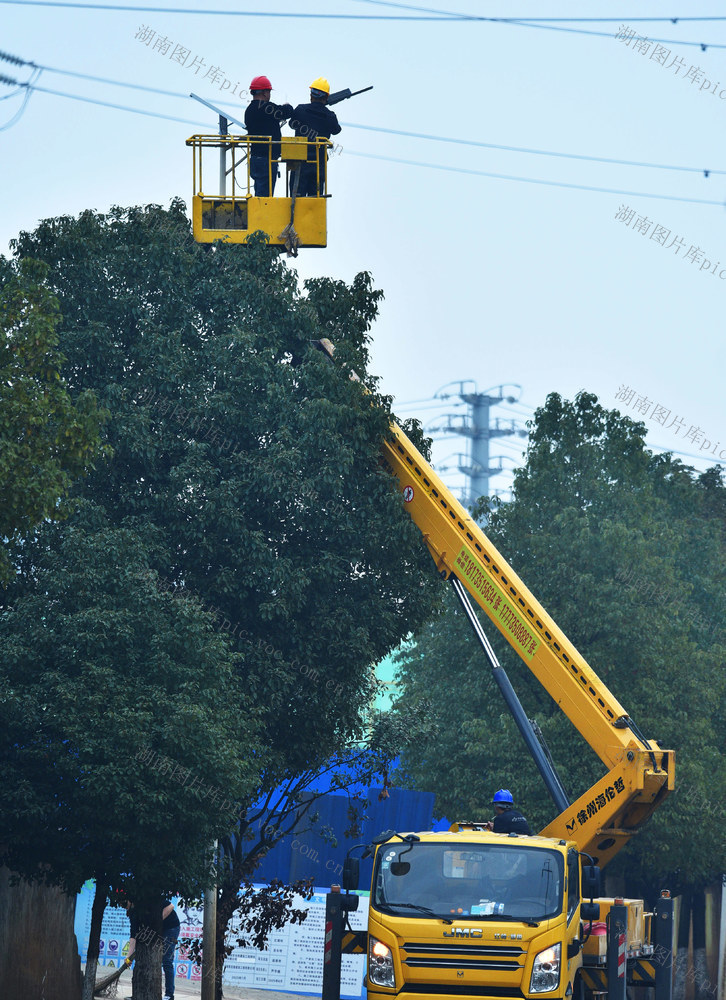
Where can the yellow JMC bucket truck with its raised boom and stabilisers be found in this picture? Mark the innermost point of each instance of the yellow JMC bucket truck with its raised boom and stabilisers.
(475, 914)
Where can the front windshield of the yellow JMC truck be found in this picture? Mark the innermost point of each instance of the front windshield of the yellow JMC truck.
(484, 881)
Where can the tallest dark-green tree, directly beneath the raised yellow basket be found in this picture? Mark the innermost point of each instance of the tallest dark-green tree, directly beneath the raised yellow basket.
(247, 463)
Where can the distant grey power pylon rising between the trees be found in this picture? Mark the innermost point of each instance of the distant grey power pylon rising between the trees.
(477, 426)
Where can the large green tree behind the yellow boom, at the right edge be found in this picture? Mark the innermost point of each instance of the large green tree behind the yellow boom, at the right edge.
(625, 549)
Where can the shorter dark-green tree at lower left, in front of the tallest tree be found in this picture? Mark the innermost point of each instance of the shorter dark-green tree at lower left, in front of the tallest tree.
(120, 712)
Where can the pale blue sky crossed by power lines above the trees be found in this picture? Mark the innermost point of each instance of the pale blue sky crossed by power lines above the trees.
(484, 278)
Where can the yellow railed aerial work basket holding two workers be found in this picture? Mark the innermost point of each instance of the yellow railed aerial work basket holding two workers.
(233, 212)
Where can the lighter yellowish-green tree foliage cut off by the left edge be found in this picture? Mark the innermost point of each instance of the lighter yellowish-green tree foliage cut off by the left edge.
(47, 439)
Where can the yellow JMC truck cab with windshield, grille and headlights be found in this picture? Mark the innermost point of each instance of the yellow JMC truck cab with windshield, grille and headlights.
(474, 913)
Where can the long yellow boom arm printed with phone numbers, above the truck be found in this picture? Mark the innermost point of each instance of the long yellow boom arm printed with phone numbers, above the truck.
(641, 774)
